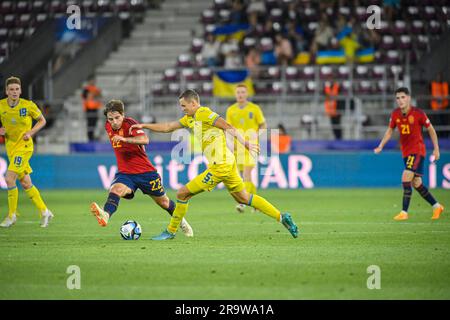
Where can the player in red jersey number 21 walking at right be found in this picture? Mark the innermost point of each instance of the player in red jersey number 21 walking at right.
(409, 121)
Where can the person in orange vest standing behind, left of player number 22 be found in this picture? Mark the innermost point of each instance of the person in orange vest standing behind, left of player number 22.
(91, 103)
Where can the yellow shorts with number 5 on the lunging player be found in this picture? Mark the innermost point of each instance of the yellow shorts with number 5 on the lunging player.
(211, 177)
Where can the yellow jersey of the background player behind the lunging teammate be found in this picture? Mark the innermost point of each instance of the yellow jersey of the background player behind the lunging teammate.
(248, 118)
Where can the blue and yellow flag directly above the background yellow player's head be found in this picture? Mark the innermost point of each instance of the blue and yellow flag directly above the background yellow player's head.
(225, 82)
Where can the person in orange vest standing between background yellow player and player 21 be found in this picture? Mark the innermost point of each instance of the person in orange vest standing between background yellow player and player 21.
(331, 91)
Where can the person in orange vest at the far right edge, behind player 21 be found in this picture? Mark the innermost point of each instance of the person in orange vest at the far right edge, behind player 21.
(439, 102)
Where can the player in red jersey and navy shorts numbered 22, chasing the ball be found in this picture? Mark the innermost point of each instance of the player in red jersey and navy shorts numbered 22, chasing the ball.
(135, 171)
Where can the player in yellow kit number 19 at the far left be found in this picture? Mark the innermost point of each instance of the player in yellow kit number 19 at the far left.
(16, 117)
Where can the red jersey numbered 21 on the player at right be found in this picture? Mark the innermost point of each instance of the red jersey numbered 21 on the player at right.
(410, 128)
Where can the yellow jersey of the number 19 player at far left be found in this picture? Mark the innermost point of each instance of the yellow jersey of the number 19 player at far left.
(17, 121)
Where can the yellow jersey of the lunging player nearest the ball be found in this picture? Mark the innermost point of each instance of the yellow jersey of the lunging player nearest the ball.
(212, 139)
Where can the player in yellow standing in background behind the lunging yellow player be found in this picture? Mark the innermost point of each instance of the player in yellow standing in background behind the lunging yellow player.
(248, 118)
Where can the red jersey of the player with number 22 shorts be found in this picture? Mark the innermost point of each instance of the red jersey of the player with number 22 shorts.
(131, 158)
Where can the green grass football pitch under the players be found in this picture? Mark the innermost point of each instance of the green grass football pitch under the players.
(232, 256)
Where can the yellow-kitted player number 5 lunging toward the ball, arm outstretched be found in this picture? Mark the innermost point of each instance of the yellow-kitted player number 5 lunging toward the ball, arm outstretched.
(210, 129)
